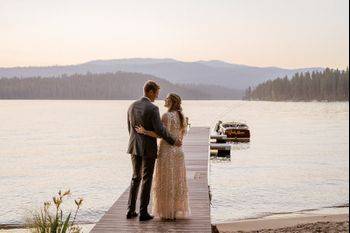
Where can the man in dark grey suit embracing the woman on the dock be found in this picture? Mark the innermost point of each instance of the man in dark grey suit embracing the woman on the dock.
(143, 149)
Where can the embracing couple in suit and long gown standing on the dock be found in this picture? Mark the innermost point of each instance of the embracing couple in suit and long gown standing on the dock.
(169, 190)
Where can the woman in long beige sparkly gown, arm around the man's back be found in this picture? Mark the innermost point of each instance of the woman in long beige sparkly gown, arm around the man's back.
(170, 191)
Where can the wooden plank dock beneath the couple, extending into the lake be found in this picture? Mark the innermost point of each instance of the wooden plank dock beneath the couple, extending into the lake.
(196, 150)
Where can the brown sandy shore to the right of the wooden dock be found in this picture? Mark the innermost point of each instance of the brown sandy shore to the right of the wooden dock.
(311, 221)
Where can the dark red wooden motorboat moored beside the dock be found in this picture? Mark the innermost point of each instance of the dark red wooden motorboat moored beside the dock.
(232, 131)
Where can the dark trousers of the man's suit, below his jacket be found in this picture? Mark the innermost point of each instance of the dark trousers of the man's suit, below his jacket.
(143, 168)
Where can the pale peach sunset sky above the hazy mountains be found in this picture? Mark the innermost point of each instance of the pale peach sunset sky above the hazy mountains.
(282, 33)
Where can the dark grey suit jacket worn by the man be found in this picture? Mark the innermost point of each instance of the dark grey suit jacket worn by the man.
(144, 112)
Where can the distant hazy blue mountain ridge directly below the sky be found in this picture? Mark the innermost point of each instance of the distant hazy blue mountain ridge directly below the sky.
(212, 72)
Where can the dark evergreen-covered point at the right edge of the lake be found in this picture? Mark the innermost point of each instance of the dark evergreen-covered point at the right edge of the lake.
(328, 85)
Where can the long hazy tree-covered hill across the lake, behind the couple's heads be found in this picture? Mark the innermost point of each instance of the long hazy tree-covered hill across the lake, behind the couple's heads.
(120, 85)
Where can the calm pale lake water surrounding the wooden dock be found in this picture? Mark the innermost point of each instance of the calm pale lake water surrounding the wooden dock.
(298, 157)
